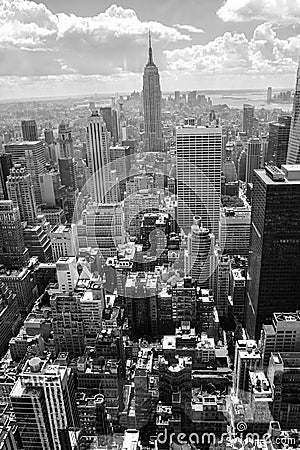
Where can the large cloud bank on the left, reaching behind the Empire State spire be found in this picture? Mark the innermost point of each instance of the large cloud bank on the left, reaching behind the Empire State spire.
(34, 41)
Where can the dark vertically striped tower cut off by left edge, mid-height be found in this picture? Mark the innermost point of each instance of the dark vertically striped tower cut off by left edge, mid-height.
(13, 253)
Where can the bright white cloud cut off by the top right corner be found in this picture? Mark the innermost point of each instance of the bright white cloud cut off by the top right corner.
(276, 11)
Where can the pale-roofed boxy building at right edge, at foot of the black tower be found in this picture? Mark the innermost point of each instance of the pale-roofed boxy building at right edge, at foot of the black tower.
(283, 335)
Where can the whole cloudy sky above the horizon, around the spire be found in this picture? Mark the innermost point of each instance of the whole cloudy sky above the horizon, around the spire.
(60, 47)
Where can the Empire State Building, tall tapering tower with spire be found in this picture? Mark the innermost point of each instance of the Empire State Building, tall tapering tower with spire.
(153, 140)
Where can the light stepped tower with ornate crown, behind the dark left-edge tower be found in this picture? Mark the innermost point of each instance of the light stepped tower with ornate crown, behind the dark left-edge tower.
(21, 192)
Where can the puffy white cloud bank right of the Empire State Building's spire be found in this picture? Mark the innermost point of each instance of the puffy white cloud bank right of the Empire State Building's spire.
(234, 53)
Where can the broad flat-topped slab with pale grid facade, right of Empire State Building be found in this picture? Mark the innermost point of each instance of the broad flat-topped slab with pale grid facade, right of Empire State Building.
(198, 163)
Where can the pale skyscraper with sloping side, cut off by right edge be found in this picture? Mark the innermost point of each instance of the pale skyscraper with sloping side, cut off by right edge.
(293, 155)
